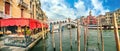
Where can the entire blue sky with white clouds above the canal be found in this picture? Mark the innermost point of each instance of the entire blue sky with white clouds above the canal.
(62, 9)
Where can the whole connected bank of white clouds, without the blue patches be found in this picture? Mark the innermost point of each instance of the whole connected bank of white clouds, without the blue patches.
(59, 9)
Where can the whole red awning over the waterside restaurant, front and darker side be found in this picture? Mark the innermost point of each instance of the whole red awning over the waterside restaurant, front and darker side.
(32, 23)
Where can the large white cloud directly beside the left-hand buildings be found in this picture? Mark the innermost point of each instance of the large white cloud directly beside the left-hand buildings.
(57, 9)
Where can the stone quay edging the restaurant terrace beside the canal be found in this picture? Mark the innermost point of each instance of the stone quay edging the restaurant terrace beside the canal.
(38, 36)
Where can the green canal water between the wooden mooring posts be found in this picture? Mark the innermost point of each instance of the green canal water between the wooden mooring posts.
(46, 45)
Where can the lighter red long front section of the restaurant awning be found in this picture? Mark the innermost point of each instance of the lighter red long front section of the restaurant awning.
(14, 22)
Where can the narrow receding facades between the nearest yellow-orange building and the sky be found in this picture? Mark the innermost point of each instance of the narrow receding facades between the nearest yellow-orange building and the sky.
(36, 11)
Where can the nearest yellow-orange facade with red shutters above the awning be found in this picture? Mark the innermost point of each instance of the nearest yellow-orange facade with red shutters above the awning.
(15, 9)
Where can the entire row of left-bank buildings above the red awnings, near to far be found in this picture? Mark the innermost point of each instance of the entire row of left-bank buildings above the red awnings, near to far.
(21, 9)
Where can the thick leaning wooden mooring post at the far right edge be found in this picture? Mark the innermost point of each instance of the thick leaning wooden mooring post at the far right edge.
(116, 32)
